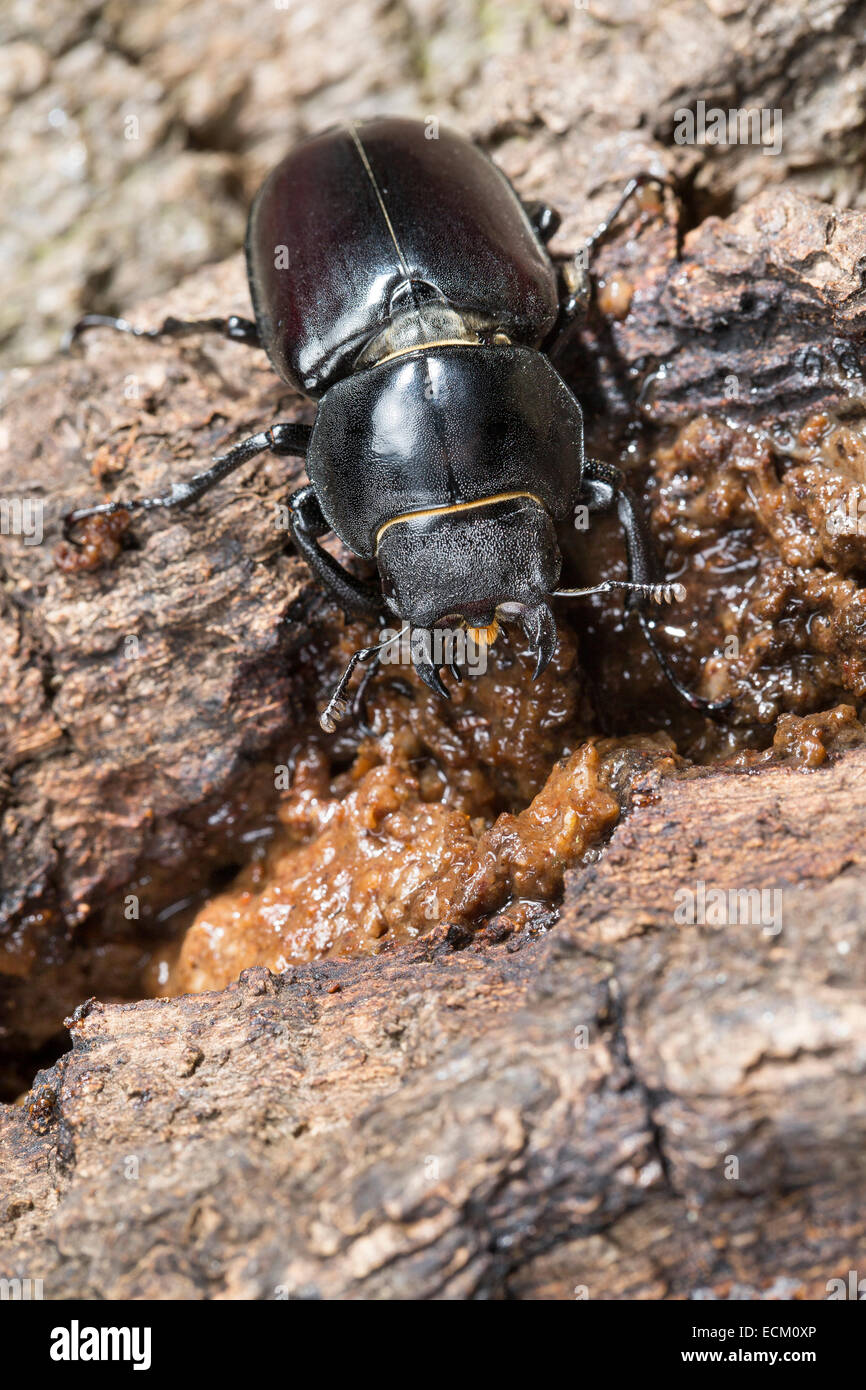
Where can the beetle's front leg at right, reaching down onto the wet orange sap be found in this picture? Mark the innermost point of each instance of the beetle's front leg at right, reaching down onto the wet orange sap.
(604, 487)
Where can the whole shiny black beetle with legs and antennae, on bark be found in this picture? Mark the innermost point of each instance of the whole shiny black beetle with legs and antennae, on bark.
(398, 280)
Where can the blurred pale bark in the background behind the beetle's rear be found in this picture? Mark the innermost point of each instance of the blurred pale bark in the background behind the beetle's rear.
(136, 134)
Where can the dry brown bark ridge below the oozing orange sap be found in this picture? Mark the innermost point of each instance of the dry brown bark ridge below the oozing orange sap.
(625, 1109)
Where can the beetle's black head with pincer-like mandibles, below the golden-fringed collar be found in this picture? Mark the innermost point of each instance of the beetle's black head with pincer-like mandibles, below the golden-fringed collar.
(472, 564)
